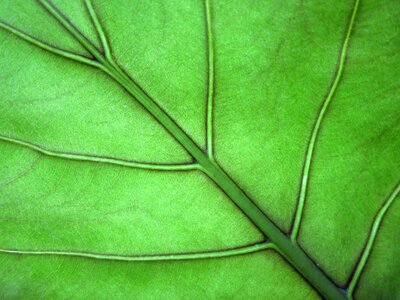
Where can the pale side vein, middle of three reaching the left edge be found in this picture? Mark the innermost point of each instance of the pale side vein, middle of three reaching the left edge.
(100, 159)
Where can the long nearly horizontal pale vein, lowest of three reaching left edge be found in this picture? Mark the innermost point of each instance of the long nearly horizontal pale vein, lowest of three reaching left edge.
(144, 258)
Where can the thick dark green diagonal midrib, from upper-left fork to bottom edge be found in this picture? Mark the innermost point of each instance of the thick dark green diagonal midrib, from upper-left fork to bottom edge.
(290, 250)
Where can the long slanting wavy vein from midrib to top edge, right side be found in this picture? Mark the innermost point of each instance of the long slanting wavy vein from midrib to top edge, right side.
(317, 127)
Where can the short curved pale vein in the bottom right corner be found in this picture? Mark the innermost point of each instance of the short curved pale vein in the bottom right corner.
(371, 239)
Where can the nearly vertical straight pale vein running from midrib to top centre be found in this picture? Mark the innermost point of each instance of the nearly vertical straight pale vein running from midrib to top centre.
(210, 83)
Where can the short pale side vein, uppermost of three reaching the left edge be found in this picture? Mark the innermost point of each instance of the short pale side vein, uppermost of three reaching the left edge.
(36, 42)
